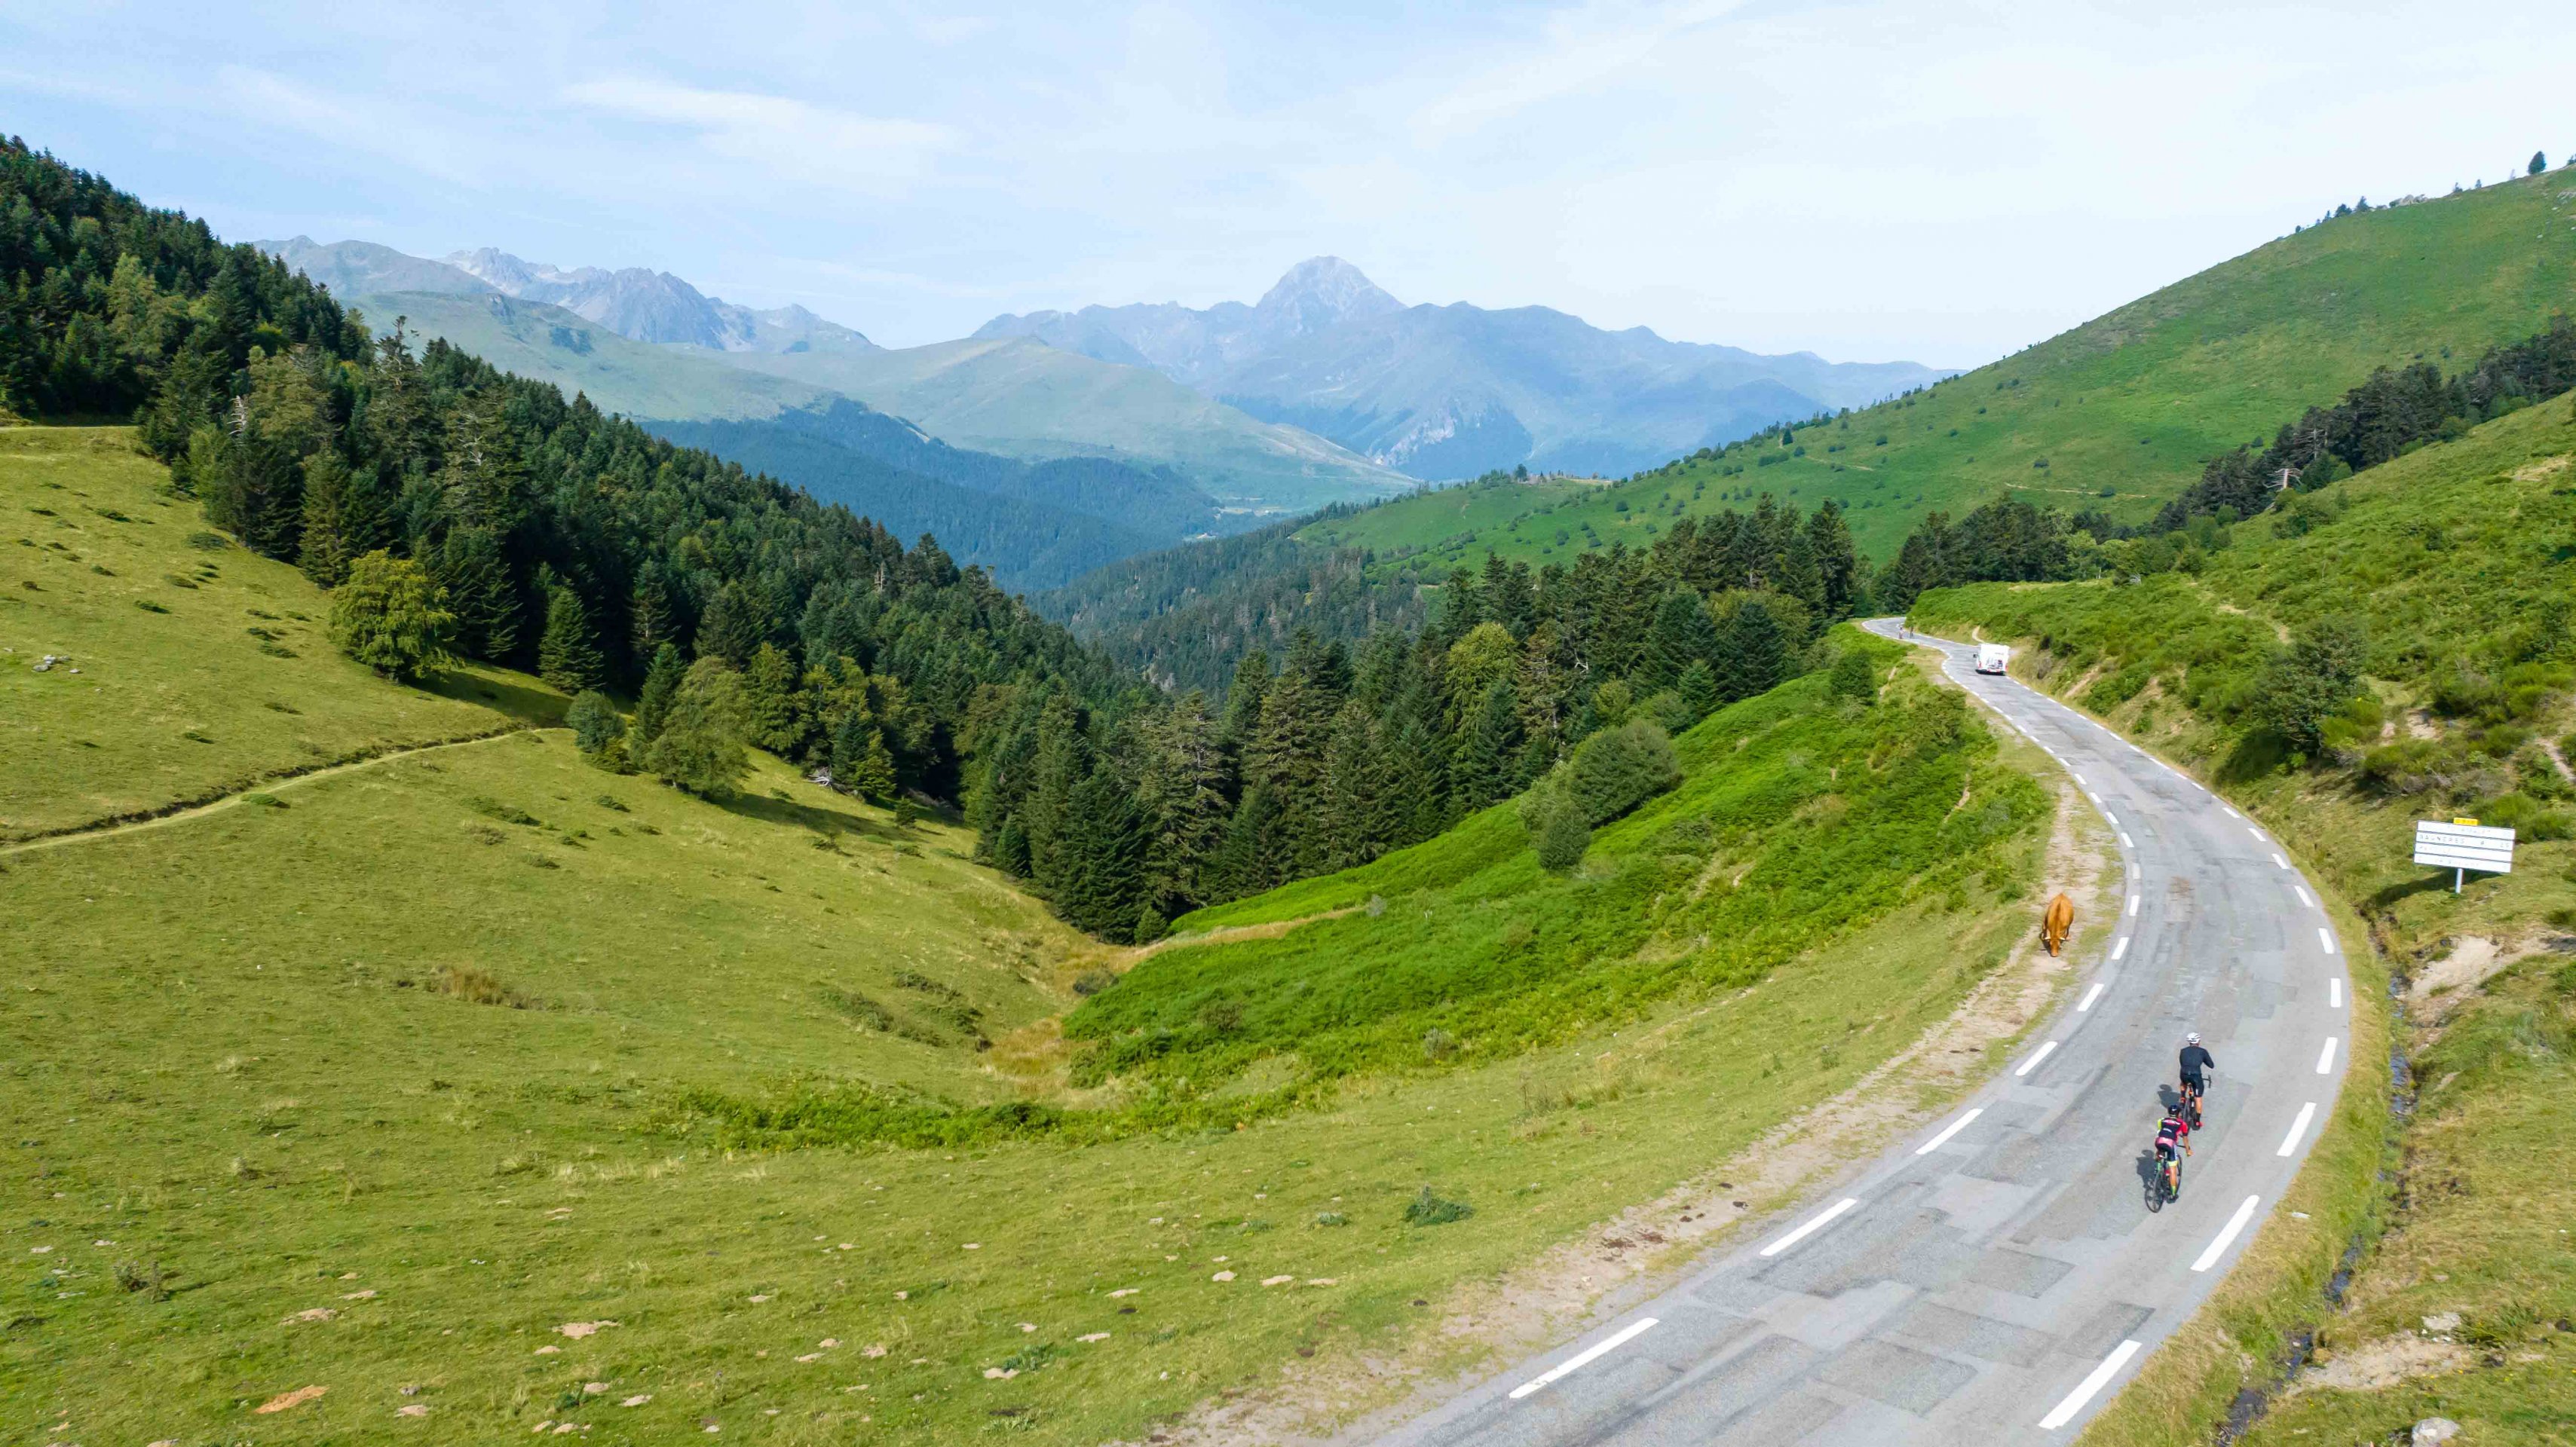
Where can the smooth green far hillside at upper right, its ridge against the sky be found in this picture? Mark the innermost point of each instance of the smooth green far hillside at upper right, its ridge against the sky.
(2124, 408)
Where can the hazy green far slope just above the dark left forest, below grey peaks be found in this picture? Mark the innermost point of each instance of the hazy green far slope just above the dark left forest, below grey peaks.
(581, 357)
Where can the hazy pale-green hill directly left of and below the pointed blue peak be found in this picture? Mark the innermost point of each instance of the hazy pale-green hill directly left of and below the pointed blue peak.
(1029, 400)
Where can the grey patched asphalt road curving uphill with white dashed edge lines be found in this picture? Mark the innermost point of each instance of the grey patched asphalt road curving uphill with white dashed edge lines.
(1998, 1276)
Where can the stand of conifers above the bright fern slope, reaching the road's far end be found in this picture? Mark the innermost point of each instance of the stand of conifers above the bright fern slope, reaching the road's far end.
(1338, 753)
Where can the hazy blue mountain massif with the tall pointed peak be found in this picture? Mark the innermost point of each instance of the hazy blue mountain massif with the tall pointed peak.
(1459, 390)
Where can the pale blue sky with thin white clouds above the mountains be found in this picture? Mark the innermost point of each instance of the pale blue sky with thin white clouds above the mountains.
(1933, 182)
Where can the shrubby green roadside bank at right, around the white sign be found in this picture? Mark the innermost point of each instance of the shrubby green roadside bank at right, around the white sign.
(2459, 563)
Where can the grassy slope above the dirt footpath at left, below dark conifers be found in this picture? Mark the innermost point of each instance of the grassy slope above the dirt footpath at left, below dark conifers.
(200, 666)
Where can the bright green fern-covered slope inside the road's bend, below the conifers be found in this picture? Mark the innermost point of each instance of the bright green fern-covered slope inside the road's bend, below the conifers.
(1799, 817)
